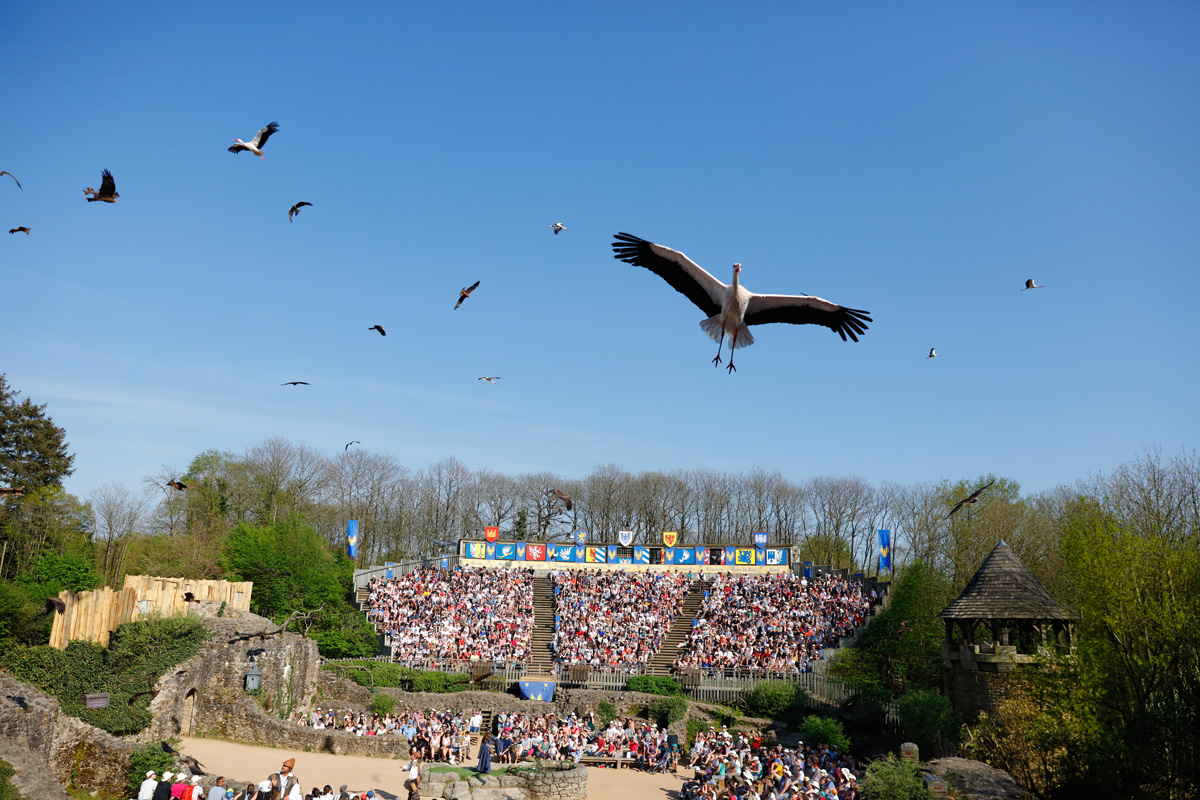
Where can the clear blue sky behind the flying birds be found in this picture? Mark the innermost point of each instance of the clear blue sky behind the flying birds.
(917, 161)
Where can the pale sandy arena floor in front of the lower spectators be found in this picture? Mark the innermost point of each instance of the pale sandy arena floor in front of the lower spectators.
(387, 777)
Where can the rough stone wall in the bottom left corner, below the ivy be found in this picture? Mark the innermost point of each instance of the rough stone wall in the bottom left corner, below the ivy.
(82, 757)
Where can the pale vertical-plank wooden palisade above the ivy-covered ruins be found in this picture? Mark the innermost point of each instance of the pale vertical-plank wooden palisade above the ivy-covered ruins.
(94, 616)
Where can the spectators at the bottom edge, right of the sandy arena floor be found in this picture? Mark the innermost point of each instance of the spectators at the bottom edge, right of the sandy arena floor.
(739, 768)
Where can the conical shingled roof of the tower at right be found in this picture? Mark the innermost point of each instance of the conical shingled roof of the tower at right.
(1004, 588)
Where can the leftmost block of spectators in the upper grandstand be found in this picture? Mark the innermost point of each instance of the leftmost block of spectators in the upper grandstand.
(460, 615)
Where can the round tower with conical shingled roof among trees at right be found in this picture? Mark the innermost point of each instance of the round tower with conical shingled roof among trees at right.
(1004, 621)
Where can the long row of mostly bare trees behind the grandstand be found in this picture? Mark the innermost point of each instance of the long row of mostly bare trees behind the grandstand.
(406, 513)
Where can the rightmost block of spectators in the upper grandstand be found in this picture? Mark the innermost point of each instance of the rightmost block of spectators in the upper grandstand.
(772, 623)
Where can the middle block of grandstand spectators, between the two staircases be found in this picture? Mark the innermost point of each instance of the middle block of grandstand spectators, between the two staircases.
(615, 619)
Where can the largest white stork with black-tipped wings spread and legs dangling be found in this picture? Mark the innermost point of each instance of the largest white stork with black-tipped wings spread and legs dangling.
(733, 309)
